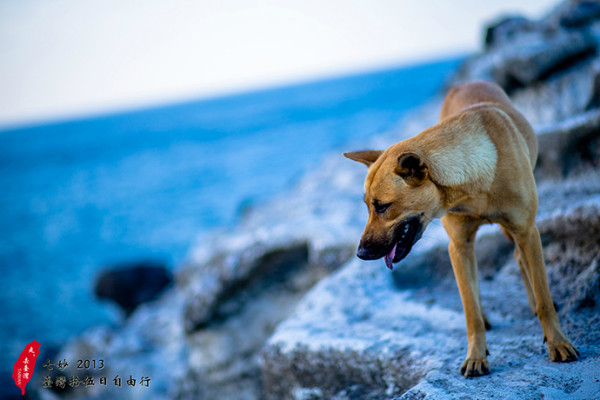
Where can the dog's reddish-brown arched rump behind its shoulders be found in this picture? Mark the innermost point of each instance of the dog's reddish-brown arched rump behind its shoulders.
(482, 93)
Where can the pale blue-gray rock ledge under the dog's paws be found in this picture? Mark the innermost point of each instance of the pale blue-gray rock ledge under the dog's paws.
(355, 335)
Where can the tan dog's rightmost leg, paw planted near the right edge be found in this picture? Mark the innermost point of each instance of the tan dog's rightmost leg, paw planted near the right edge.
(530, 249)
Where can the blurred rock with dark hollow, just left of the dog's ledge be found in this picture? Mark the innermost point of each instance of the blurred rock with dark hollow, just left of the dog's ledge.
(223, 351)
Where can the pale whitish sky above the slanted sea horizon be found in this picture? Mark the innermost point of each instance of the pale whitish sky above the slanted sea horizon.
(65, 58)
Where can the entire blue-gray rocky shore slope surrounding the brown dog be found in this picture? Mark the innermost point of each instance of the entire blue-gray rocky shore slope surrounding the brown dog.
(245, 319)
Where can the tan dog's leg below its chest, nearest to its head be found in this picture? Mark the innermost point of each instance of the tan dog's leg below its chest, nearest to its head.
(461, 231)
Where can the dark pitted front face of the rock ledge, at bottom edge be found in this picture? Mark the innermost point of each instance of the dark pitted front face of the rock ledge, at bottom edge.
(337, 373)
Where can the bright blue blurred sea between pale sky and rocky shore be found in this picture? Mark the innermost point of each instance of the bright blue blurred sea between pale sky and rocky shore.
(79, 195)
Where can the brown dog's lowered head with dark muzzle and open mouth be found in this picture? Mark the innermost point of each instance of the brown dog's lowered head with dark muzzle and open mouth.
(402, 200)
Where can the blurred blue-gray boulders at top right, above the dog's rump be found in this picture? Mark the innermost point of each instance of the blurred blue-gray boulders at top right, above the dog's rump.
(548, 70)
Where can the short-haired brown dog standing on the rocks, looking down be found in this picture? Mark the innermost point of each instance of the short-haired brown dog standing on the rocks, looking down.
(474, 167)
